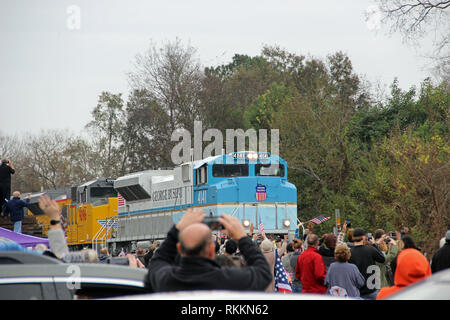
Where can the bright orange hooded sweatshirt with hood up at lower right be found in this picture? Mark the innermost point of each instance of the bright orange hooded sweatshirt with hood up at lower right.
(412, 266)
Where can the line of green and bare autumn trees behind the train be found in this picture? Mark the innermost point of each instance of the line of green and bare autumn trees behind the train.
(382, 160)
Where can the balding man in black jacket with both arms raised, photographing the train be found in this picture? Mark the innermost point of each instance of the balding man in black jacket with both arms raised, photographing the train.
(197, 270)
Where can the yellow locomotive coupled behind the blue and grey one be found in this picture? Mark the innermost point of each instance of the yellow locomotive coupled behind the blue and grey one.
(85, 210)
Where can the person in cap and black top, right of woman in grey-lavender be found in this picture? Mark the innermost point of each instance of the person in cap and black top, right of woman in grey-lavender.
(365, 258)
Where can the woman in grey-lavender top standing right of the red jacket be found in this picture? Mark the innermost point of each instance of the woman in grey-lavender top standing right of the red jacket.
(343, 278)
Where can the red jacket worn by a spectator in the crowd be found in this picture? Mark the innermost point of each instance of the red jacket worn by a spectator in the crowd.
(311, 271)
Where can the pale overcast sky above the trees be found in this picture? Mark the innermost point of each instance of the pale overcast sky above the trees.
(57, 56)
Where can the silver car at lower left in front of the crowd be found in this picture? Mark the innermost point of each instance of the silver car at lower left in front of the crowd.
(62, 281)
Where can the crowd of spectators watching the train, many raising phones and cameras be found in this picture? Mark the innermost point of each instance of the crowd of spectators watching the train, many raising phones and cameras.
(353, 263)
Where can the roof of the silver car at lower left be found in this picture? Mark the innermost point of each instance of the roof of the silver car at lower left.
(67, 270)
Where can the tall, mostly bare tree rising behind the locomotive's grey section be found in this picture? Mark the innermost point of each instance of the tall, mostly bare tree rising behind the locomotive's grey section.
(167, 84)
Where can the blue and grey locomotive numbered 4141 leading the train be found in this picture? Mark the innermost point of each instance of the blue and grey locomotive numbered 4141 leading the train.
(252, 186)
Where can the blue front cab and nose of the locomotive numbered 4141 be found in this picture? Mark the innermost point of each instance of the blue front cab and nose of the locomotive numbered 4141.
(253, 189)
